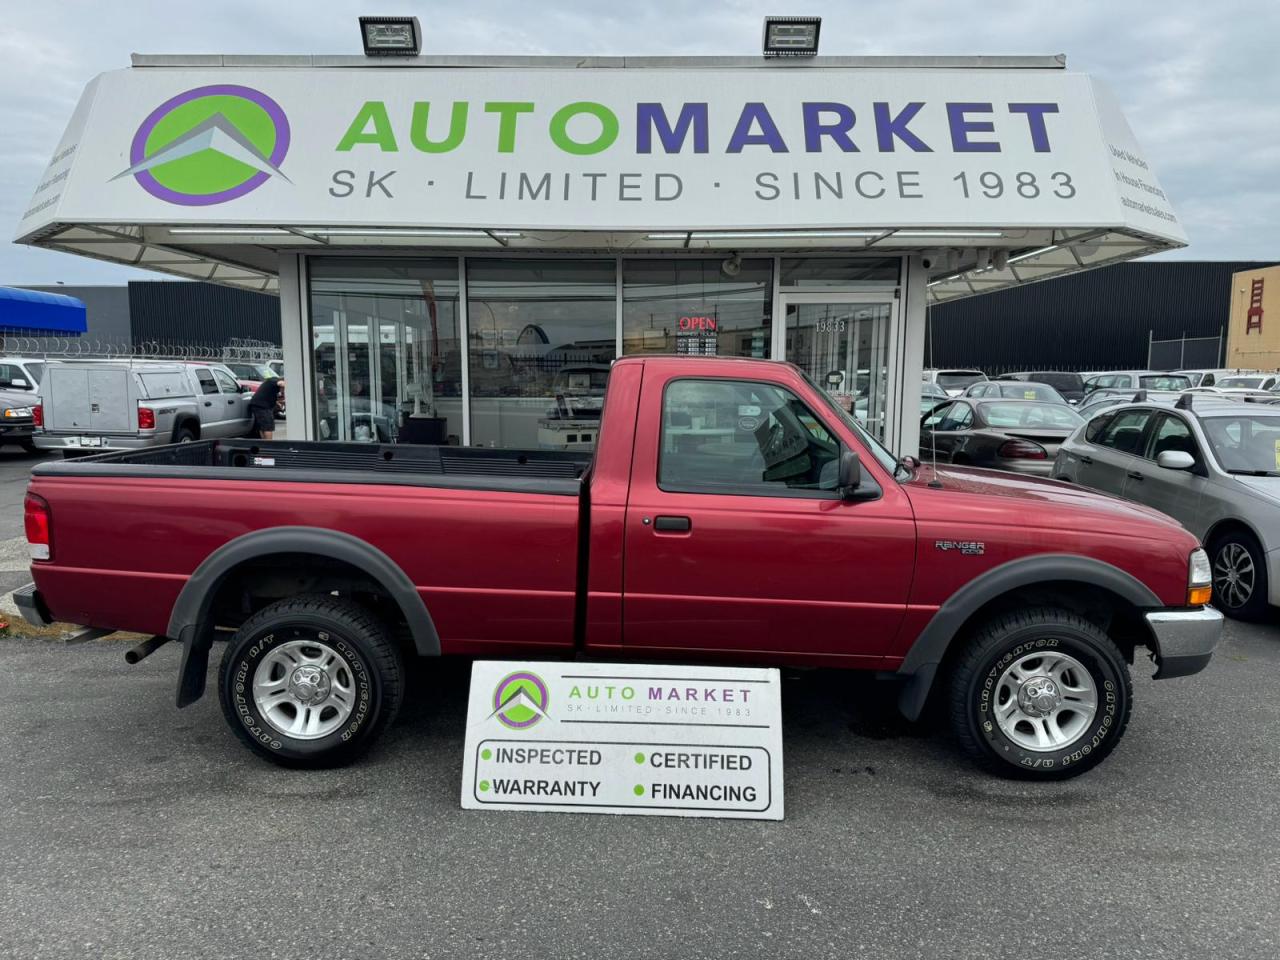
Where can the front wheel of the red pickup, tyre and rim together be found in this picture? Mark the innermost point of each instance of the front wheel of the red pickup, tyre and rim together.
(1040, 694)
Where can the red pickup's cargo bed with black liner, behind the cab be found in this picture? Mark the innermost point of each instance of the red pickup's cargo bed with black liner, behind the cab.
(487, 537)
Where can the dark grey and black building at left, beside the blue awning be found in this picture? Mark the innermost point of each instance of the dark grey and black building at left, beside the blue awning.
(167, 317)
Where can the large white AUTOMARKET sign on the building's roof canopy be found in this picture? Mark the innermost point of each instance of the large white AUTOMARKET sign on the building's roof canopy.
(601, 149)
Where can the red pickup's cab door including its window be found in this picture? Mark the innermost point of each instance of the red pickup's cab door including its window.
(737, 538)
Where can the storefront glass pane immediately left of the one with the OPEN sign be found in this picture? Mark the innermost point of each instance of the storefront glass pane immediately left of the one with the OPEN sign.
(542, 339)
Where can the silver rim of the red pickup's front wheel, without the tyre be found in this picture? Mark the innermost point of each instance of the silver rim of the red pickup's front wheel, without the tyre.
(1045, 701)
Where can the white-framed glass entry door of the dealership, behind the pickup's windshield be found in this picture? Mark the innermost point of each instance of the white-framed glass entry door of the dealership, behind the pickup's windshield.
(843, 344)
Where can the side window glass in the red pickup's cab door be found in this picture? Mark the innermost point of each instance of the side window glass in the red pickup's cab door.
(740, 437)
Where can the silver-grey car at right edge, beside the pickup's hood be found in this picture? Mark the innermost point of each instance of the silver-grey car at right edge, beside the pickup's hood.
(1213, 465)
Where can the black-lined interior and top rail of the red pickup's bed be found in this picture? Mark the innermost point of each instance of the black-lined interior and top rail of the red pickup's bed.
(467, 468)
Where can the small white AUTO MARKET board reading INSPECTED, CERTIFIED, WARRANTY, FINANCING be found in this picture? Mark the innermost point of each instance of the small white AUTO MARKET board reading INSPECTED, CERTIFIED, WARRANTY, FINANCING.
(609, 738)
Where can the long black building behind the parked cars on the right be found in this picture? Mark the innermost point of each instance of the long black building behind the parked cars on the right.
(1101, 319)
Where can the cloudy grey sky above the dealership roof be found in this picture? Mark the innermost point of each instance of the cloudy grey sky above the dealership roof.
(1199, 83)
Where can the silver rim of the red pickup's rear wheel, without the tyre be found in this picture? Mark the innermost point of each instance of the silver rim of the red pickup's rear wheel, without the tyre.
(304, 689)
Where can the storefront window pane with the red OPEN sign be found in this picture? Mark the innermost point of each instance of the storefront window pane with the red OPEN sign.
(721, 307)
